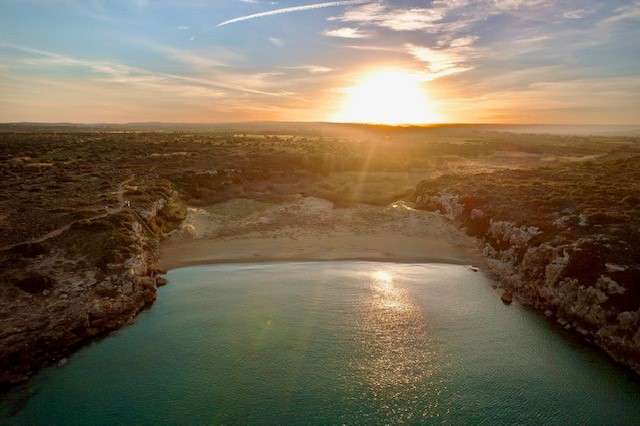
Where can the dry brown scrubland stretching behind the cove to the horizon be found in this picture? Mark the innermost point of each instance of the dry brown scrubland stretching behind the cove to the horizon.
(64, 194)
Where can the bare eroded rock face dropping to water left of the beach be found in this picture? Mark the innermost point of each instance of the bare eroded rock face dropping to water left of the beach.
(64, 304)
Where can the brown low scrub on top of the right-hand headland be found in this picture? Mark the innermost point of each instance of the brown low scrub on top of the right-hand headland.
(592, 200)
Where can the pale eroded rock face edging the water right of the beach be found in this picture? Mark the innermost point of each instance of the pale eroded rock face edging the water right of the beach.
(571, 283)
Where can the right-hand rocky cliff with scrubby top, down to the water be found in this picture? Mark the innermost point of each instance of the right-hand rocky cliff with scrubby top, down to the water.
(581, 269)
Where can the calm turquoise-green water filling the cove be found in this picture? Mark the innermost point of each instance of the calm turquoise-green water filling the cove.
(331, 343)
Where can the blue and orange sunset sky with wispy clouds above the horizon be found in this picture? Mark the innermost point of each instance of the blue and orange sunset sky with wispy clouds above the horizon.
(462, 61)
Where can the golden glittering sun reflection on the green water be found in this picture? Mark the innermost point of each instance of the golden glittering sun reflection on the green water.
(398, 357)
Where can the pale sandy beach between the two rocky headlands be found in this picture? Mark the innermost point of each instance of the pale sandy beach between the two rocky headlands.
(310, 229)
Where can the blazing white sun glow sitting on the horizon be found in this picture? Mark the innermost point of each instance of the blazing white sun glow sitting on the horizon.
(388, 97)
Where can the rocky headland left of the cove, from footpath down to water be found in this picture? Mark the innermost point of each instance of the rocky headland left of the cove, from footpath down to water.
(58, 294)
